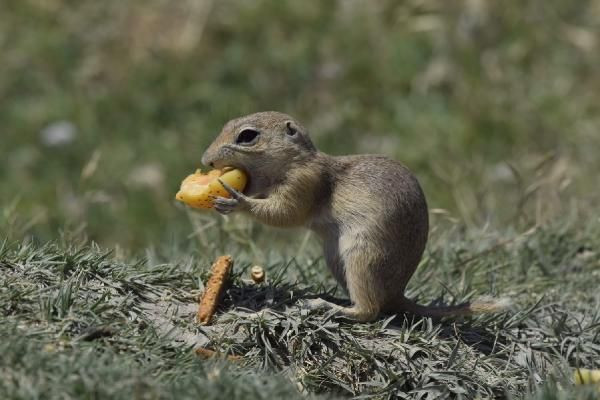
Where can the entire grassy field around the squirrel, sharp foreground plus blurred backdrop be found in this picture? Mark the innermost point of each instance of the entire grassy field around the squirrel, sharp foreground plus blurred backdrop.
(105, 106)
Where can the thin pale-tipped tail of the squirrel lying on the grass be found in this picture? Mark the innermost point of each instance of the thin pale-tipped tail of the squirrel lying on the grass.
(479, 306)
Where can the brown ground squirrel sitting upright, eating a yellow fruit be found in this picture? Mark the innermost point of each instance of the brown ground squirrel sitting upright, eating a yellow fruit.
(369, 210)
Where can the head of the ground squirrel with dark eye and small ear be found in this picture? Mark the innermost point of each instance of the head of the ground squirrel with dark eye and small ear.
(262, 143)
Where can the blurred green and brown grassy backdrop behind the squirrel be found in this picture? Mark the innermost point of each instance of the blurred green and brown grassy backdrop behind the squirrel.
(106, 106)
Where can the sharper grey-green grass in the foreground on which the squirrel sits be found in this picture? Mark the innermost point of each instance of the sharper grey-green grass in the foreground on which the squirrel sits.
(75, 317)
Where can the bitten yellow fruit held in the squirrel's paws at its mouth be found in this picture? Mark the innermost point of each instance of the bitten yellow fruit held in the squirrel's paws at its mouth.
(197, 189)
